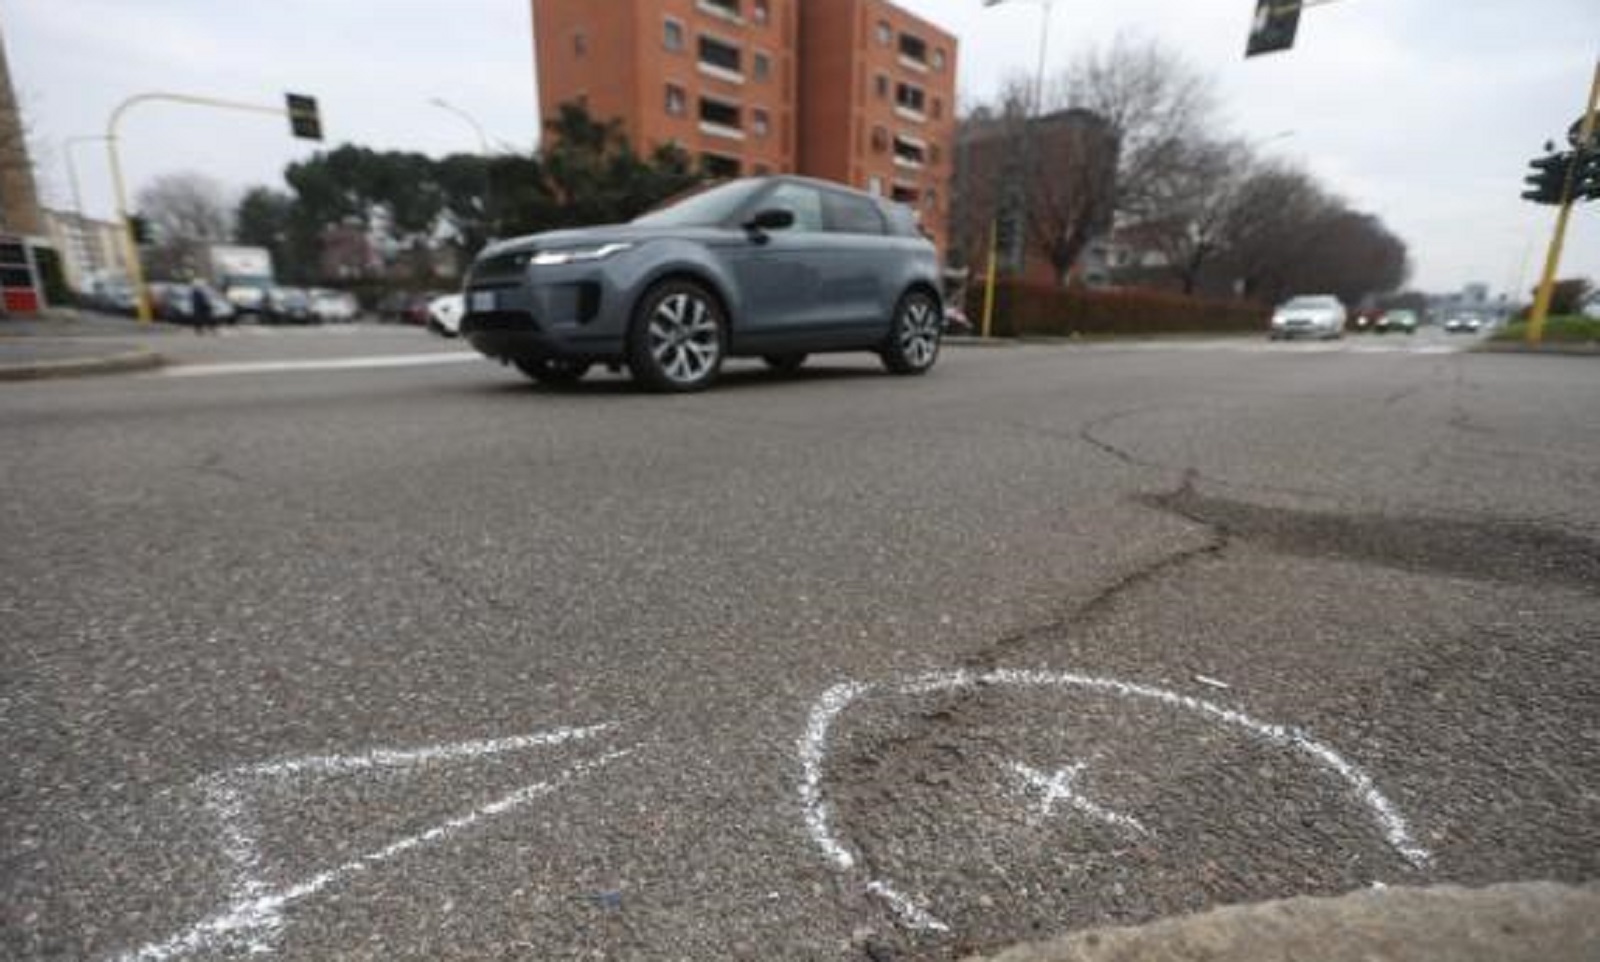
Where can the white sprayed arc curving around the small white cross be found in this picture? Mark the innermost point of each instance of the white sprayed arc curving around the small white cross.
(815, 744)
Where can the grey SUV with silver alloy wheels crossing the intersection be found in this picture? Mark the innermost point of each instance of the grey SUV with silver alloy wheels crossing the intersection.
(774, 268)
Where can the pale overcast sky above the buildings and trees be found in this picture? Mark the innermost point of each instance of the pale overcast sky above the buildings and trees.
(1422, 111)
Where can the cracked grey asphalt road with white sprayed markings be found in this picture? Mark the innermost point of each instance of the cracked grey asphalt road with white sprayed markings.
(423, 662)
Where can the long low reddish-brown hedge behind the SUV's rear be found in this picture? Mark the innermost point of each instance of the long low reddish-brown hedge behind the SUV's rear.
(1054, 311)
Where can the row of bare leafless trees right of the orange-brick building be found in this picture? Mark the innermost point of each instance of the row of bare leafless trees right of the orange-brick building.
(1201, 212)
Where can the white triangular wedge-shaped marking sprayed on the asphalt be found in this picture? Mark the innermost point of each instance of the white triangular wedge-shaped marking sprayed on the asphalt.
(254, 921)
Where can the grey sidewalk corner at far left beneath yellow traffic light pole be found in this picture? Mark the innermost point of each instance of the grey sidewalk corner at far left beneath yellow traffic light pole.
(66, 345)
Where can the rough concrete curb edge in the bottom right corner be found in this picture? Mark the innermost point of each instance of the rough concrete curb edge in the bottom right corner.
(1524, 923)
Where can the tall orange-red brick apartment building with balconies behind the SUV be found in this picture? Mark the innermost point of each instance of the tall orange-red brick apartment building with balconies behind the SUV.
(857, 92)
